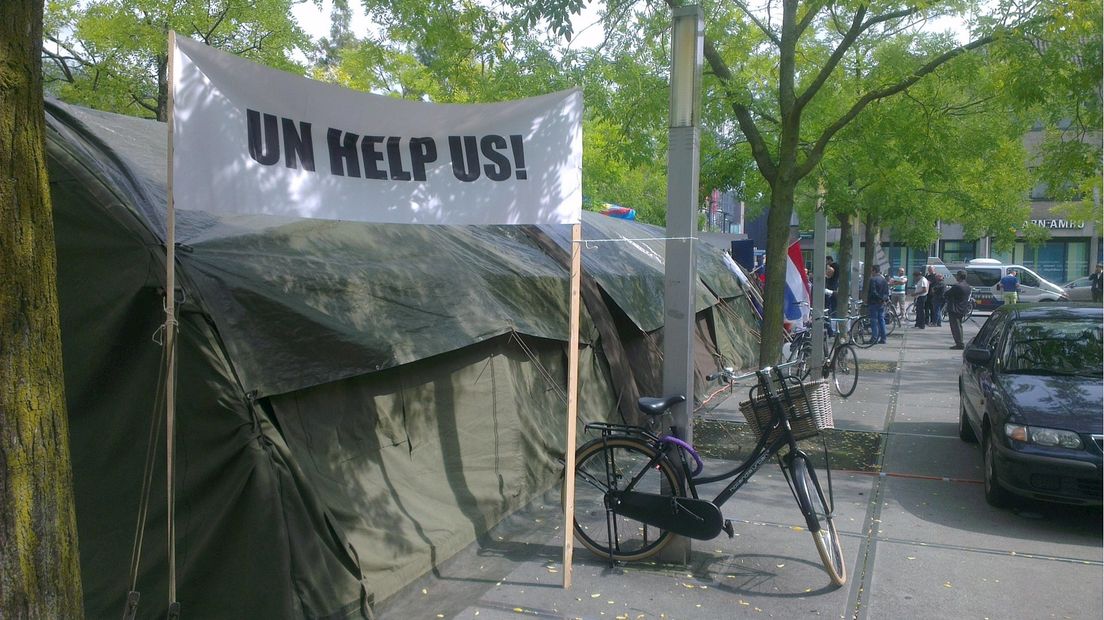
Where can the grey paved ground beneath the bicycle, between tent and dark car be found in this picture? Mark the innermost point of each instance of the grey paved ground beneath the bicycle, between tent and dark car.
(919, 539)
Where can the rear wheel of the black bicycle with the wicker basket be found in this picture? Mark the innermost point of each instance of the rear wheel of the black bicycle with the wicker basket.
(610, 465)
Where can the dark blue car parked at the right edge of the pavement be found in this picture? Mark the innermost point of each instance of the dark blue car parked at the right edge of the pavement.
(1032, 390)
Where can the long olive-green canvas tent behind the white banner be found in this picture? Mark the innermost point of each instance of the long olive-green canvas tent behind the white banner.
(356, 403)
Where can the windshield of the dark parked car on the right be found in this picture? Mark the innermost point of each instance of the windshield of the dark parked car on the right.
(1055, 348)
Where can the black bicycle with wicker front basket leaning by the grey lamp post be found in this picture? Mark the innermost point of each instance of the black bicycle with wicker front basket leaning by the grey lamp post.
(636, 490)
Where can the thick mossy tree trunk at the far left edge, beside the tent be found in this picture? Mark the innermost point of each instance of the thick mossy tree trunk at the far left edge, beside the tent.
(40, 572)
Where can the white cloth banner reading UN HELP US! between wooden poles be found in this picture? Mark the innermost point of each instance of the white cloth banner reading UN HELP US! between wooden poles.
(249, 140)
